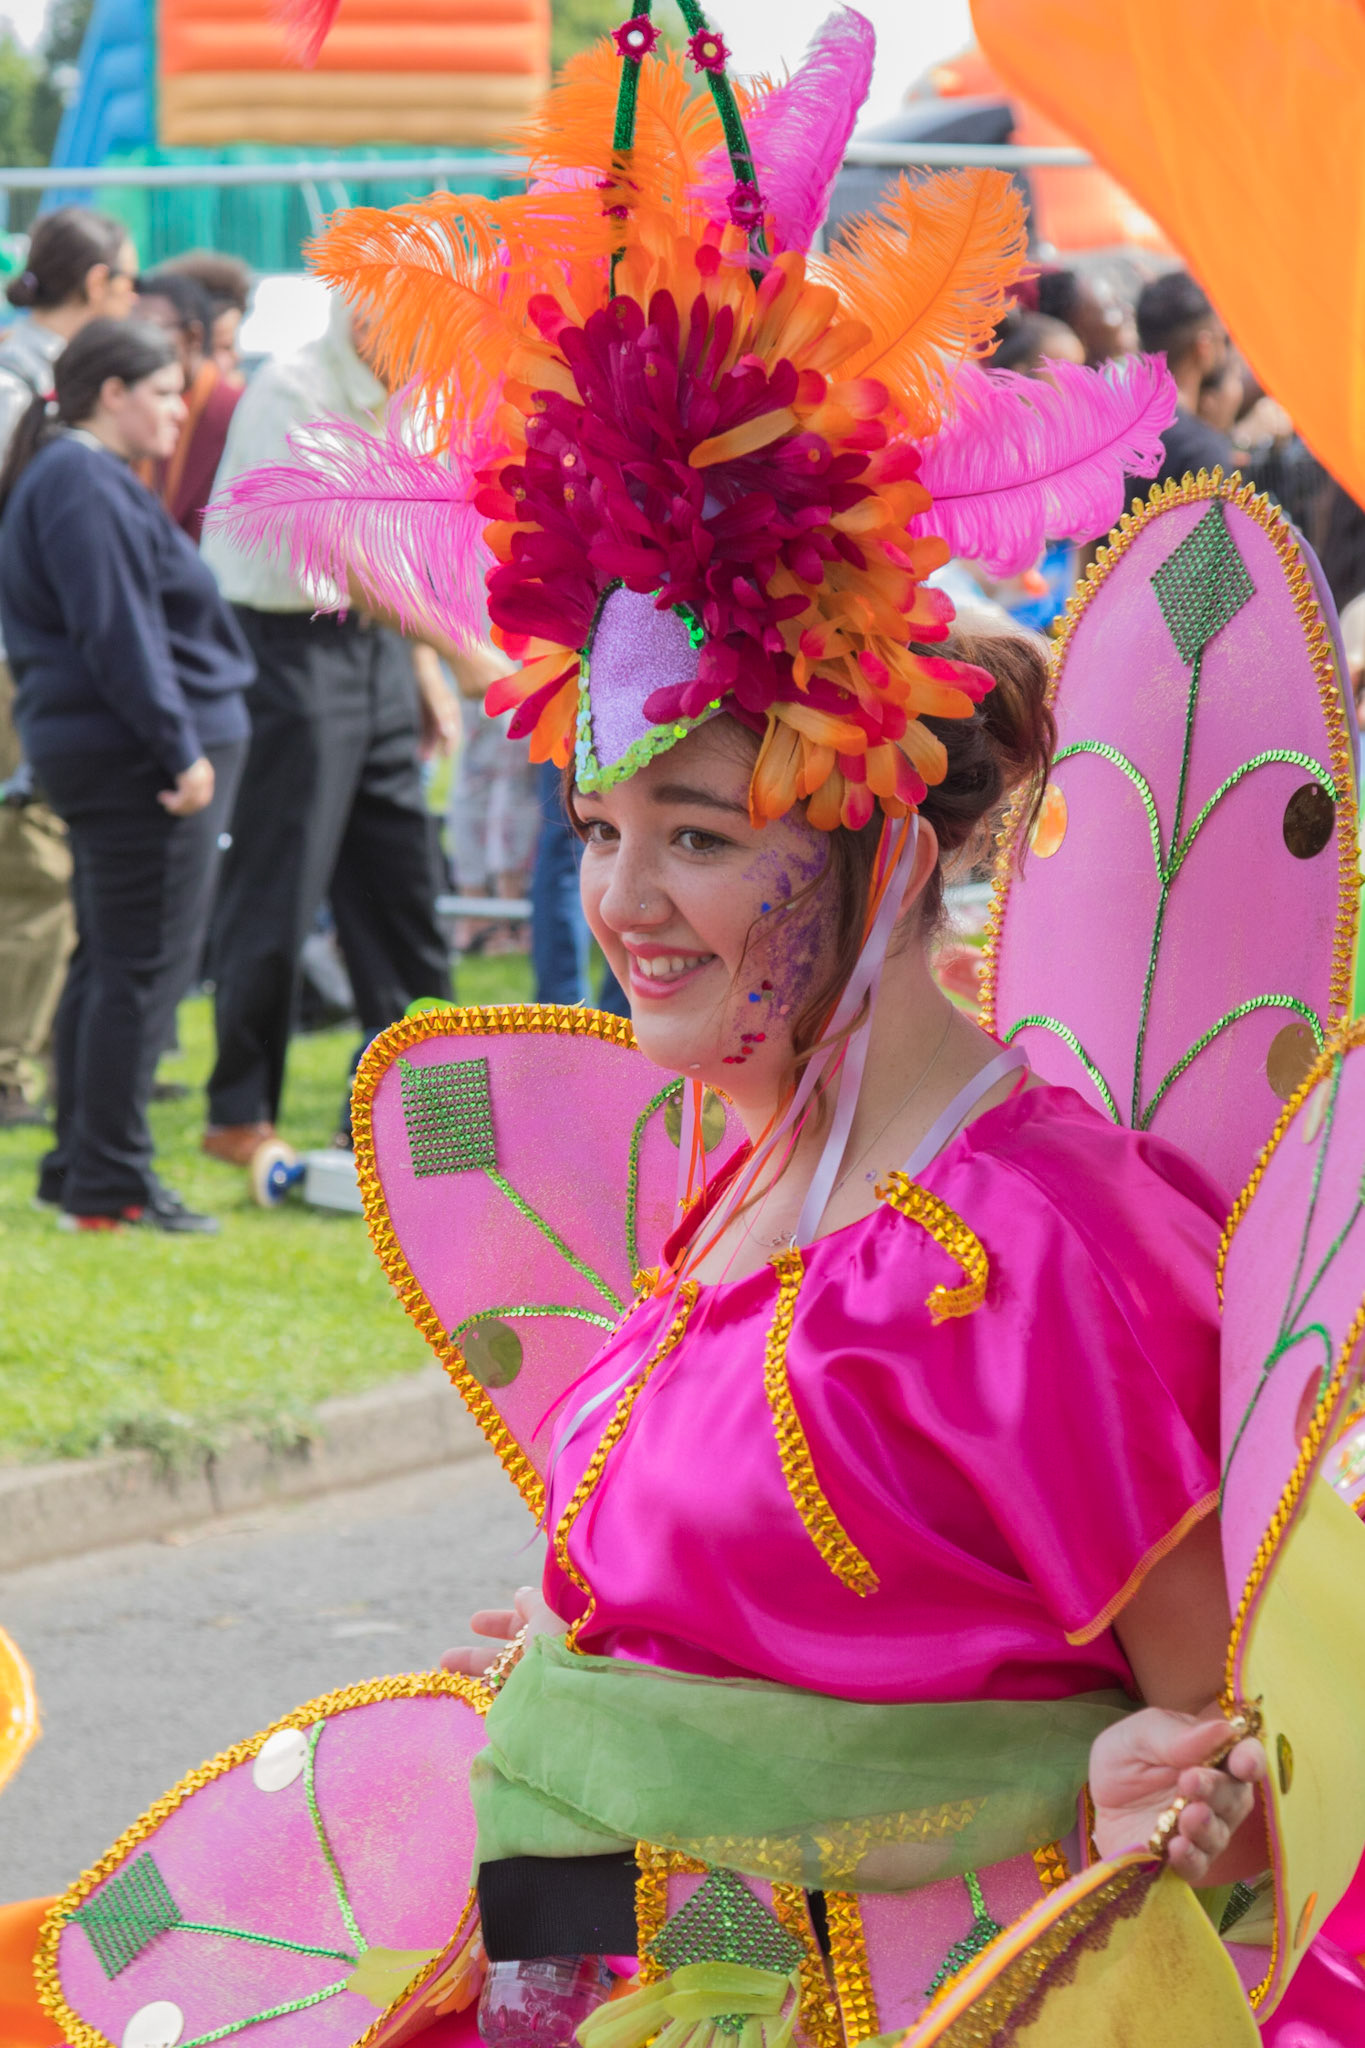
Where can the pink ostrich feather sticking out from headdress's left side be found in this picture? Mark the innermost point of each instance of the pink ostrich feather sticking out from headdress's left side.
(371, 509)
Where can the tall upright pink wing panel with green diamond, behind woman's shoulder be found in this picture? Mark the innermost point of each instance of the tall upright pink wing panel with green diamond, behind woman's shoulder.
(1174, 937)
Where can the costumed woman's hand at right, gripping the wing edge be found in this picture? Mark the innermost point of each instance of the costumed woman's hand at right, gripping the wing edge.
(1143, 1764)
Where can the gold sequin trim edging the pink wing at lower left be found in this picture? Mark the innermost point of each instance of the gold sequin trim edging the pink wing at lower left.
(406, 1687)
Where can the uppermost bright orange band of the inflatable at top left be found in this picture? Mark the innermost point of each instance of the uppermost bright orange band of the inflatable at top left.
(371, 36)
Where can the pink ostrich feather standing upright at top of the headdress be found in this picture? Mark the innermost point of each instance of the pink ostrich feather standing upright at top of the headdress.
(797, 132)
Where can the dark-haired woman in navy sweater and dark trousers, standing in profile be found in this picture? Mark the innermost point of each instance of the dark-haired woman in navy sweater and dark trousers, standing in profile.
(130, 699)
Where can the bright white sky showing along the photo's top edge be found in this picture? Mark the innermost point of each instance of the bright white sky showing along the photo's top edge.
(770, 34)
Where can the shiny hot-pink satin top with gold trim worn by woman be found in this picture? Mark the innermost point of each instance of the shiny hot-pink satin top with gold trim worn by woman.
(1010, 1474)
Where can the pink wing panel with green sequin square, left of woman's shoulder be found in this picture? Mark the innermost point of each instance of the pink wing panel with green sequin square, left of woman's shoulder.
(519, 1170)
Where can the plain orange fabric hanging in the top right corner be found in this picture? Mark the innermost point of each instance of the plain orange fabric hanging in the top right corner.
(1241, 128)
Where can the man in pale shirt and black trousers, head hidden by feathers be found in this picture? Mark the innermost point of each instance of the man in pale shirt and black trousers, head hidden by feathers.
(331, 802)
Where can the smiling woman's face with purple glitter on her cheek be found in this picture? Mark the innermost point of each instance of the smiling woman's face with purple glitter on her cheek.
(717, 931)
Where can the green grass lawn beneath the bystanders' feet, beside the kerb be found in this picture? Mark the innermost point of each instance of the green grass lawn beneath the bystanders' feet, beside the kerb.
(169, 1342)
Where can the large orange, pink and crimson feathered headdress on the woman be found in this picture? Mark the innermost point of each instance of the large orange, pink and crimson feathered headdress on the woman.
(705, 458)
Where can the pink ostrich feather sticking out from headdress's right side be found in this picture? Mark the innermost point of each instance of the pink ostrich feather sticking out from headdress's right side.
(1032, 460)
